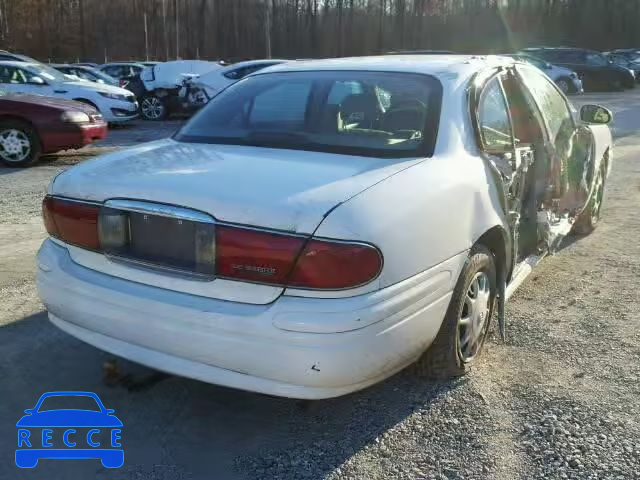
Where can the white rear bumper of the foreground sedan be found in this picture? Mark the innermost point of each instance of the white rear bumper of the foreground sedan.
(250, 347)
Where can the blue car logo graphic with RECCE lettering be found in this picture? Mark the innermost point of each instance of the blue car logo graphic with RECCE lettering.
(39, 428)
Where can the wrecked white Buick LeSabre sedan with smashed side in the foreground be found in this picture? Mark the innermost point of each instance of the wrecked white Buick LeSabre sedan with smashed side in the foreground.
(319, 226)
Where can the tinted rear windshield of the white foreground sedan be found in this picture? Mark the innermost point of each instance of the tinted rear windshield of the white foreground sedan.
(378, 114)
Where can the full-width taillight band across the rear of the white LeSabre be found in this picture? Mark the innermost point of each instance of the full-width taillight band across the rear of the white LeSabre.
(241, 253)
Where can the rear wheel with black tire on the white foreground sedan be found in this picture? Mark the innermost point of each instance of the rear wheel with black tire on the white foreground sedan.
(446, 356)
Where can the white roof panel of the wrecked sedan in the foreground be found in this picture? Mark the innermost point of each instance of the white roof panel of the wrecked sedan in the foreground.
(437, 65)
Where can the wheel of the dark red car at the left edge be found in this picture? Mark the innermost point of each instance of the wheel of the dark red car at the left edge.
(19, 144)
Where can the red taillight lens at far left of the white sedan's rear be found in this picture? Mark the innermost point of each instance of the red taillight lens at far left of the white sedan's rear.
(72, 222)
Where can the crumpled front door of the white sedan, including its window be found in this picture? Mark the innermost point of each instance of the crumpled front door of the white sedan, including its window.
(569, 145)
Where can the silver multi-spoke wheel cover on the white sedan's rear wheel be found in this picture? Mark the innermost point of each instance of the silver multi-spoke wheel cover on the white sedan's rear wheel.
(474, 317)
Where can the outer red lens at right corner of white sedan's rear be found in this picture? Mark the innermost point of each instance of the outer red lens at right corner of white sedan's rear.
(331, 265)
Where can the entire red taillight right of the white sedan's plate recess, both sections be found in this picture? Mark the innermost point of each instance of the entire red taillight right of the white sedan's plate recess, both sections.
(280, 259)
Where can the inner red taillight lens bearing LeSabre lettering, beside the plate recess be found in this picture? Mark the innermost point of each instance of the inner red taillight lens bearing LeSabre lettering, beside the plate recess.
(255, 255)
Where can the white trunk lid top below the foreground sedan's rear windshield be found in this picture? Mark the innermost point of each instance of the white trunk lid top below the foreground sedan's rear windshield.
(289, 190)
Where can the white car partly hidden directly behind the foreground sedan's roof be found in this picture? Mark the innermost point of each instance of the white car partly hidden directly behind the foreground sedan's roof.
(198, 90)
